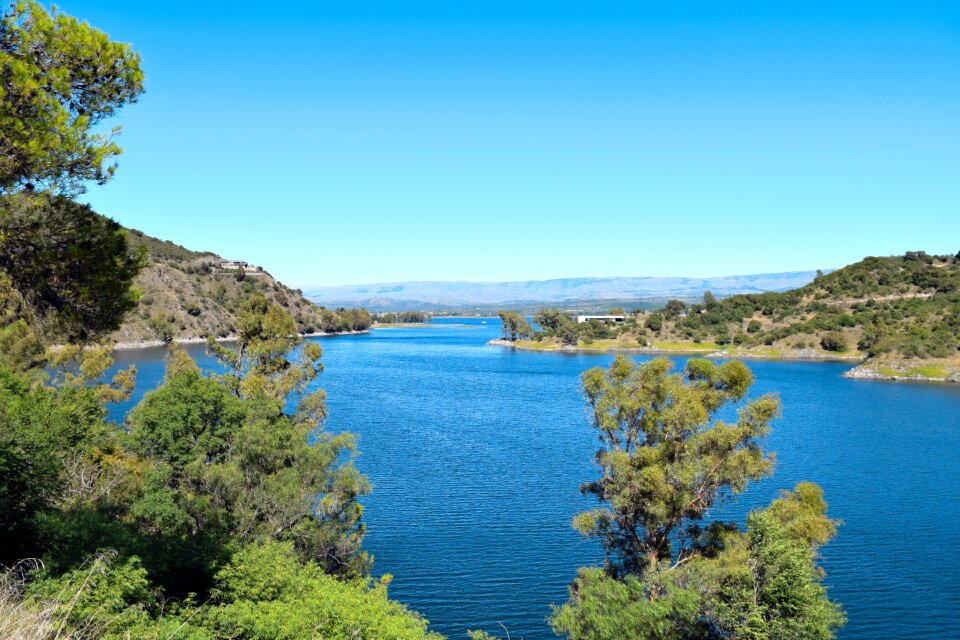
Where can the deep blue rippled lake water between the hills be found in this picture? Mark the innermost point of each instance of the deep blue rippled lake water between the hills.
(477, 453)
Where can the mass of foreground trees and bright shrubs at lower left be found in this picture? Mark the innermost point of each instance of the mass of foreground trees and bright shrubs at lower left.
(217, 491)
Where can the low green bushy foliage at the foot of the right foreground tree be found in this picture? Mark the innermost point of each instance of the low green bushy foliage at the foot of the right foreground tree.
(761, 584)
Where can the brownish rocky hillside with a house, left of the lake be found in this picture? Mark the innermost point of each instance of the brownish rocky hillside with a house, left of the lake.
(193, 294)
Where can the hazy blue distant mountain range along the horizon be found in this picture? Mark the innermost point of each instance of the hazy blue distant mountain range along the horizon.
(433, 295)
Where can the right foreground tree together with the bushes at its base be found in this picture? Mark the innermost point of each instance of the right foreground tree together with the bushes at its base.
(664, 464)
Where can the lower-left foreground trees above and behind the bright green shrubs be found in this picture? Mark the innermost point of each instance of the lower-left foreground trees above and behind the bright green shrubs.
(207, 464)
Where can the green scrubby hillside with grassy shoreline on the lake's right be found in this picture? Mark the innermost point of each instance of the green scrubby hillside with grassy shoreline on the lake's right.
(901, 312)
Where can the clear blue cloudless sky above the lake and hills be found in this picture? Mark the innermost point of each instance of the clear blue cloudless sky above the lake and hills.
(346, 142)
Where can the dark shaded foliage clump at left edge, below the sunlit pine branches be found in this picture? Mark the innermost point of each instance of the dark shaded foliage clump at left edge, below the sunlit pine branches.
(71, 267)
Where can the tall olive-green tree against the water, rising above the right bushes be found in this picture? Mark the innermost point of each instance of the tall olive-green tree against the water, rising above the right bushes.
(664, 464)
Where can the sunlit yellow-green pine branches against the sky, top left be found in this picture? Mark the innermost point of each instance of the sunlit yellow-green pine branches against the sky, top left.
(60, 79)
